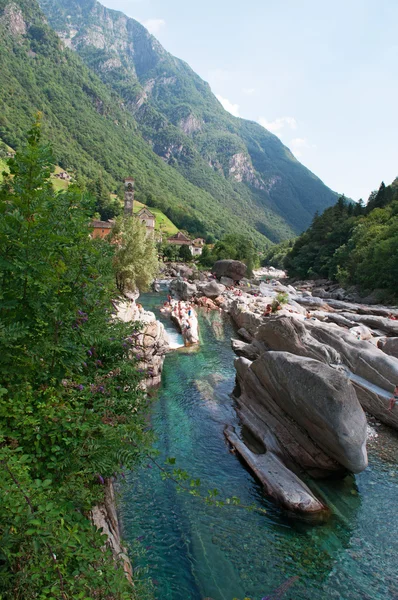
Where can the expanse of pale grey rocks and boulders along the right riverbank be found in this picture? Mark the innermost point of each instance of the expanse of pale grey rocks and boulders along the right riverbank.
(309, 369)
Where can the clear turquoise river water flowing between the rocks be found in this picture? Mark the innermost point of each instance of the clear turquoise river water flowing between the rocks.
(195, 551)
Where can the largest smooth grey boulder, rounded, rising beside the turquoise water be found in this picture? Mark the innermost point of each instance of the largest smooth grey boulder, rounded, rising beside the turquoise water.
(310, 410)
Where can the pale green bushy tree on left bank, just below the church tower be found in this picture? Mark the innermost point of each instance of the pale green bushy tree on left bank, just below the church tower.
(135, 260)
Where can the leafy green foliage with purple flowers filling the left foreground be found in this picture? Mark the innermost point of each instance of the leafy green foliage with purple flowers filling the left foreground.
(71, 411)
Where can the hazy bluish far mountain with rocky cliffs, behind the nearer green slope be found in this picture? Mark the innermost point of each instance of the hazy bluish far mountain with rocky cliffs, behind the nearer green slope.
(185, 124)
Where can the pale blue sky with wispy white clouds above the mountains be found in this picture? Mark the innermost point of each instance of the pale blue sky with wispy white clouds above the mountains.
(320, 75)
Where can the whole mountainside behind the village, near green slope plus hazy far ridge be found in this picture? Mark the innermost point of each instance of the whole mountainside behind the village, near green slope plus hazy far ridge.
(121, 105)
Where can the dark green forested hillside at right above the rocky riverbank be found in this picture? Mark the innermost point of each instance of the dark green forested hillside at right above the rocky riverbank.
(350, 243)
